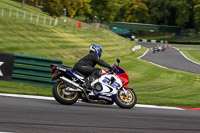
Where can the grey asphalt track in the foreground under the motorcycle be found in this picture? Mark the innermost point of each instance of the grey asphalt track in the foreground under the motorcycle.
(20, 115)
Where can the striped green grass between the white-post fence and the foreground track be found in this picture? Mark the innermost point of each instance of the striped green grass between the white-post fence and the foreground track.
(152, 84)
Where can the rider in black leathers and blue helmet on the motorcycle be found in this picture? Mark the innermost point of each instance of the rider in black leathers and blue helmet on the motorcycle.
(86, 65)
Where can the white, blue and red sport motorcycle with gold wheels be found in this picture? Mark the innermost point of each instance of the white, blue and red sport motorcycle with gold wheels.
(110, 88)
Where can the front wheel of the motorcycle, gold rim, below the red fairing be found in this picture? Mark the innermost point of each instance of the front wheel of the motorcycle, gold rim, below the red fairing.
(126, 101)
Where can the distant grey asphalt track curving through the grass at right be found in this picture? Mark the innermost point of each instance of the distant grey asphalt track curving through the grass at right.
(171, 58)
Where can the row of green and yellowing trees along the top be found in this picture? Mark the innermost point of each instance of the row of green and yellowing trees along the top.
(183, 13)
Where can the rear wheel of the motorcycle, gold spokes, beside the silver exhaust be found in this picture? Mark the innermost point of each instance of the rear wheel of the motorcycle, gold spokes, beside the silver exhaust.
(62, 95)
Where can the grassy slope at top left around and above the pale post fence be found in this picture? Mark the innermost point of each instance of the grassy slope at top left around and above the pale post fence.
(12, 9)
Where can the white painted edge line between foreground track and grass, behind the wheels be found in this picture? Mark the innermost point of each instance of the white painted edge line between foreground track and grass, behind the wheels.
(51, 98)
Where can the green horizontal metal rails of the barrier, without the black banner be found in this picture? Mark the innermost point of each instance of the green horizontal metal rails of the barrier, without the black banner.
(33, 70)
